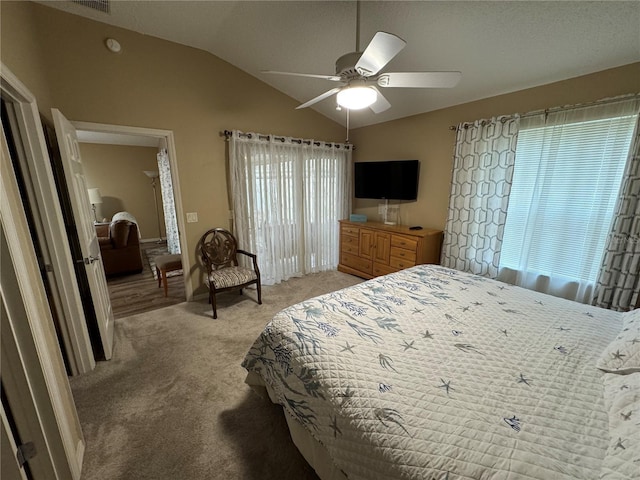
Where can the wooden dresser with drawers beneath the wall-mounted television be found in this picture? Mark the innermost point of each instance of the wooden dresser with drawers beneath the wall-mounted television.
(370, 249)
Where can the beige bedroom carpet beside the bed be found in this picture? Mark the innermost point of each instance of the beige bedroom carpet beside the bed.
(172, 403)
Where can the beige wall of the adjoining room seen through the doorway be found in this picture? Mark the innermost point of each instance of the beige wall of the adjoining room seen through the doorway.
(117, 170)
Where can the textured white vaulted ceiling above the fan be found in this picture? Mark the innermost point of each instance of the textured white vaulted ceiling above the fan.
(499, 47)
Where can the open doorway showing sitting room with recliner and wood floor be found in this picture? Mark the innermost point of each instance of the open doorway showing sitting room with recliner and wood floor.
(138, 157)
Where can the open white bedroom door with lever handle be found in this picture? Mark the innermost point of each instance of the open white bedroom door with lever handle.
(79, 196)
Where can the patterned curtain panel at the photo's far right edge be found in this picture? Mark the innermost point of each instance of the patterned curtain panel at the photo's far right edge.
(619, 279)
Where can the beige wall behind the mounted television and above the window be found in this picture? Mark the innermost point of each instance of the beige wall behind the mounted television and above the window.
(427, 136)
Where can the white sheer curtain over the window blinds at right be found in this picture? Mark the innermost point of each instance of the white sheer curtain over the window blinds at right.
(568, 170)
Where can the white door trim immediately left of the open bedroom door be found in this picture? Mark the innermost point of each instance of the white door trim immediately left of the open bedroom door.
(79, 351)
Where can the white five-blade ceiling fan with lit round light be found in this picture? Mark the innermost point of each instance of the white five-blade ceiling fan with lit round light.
(360, 73)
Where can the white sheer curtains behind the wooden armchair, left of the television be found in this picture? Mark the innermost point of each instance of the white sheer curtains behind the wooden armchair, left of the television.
(288, 196)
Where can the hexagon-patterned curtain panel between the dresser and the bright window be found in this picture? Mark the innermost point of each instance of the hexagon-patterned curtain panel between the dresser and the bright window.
(482, 174)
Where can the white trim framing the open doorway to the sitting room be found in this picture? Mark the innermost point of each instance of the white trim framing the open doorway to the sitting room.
(167, 136)
